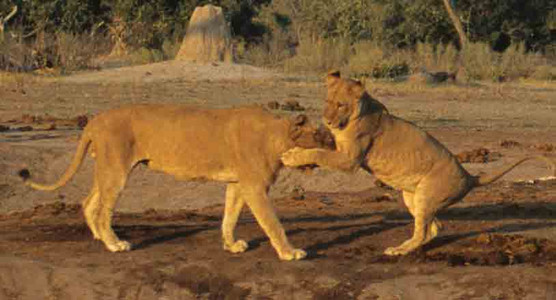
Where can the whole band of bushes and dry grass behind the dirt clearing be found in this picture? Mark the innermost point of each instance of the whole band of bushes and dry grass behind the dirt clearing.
(507, 38)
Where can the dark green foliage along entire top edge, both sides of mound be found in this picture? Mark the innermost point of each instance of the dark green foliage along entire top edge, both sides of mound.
(399, 23)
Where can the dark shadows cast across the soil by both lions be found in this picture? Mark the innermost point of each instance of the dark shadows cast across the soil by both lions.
(389, 220)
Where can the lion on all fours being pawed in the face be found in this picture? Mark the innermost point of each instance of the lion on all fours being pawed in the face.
(238, 146)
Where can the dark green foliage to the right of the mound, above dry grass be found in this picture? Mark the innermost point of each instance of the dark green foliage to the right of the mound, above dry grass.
(402, 23)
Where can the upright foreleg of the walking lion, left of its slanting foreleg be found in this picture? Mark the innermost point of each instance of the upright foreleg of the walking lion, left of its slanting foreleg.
(234, 203)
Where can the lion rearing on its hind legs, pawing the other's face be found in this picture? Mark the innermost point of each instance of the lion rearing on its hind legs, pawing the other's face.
(397, 152)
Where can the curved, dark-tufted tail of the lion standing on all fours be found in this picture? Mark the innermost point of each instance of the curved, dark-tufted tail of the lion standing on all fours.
(82, 148)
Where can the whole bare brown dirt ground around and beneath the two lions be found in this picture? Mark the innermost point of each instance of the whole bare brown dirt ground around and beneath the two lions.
(499, 243)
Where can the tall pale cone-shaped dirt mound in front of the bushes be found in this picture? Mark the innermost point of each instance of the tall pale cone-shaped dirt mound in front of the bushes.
(208, 37)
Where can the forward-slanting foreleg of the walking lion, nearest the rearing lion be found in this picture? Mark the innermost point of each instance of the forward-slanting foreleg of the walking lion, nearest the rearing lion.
(263, 210)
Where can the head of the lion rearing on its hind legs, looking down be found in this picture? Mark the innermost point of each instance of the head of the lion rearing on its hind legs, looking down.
(347, 101)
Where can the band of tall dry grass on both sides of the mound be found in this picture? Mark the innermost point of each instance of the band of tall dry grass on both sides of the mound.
(68, 53)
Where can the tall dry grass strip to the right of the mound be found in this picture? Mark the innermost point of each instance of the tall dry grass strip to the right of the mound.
(478, 62)
